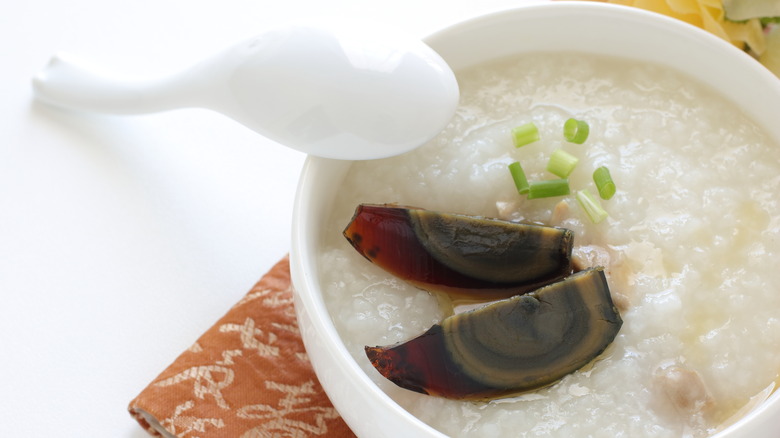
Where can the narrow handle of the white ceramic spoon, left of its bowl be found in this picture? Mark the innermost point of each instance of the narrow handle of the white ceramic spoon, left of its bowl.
(71, 83)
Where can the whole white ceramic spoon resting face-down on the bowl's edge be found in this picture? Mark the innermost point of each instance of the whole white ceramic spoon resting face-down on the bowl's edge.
(336, 92)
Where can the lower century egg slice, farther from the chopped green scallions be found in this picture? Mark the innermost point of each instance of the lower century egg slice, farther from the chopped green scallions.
(510, 346)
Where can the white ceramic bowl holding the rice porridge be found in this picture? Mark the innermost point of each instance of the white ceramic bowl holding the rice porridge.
(561, 26)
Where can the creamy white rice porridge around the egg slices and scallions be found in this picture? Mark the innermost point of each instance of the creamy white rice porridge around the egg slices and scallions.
(689, 246)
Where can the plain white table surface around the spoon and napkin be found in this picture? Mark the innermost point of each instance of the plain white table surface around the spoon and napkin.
(122, 239)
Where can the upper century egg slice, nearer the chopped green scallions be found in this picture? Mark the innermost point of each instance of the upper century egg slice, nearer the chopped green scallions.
(470, 256)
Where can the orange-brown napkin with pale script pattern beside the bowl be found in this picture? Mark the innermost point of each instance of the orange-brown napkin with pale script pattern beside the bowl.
(248, 376)
